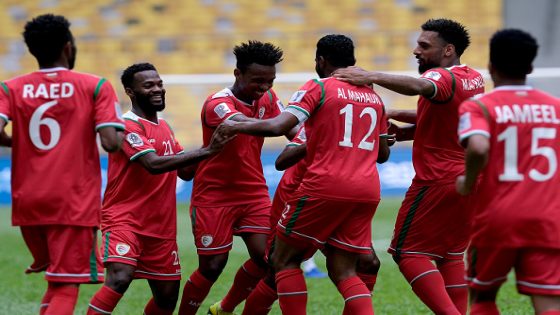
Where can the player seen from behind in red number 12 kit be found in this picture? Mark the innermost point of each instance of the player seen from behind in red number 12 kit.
(339, 192)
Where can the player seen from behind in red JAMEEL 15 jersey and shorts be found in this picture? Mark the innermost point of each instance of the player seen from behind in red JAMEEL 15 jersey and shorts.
(511, 136)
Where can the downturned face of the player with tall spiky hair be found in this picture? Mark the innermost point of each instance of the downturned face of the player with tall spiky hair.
(255, 81)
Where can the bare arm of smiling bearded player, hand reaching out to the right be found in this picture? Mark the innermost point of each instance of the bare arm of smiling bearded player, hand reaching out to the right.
(156, 164)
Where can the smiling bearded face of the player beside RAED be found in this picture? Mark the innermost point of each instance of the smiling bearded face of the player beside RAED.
(147, 91)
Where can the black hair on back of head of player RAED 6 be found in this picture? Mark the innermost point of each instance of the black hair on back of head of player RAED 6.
(46, 35)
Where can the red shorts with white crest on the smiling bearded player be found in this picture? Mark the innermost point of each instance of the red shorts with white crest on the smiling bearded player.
(154, 258)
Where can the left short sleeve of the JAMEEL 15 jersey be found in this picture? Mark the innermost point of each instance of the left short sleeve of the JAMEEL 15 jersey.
(473, 120)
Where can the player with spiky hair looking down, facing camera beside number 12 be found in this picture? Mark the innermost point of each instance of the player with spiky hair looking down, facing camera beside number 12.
(230, 196)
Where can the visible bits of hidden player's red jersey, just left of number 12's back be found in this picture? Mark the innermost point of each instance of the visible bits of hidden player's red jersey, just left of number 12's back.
(293, 175)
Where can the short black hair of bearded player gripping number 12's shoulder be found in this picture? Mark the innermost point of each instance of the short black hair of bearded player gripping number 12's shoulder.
(451, 32)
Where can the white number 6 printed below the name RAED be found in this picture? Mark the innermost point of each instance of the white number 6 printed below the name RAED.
(35, 127)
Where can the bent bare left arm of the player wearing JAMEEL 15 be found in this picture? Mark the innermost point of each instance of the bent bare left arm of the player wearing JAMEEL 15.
(476, 158)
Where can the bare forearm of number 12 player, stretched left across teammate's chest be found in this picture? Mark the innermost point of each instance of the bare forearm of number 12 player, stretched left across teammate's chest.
(274, 127)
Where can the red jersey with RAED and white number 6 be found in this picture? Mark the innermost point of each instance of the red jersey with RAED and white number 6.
(56, 177)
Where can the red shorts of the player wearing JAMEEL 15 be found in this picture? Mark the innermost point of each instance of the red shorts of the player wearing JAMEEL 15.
(537, 270)
